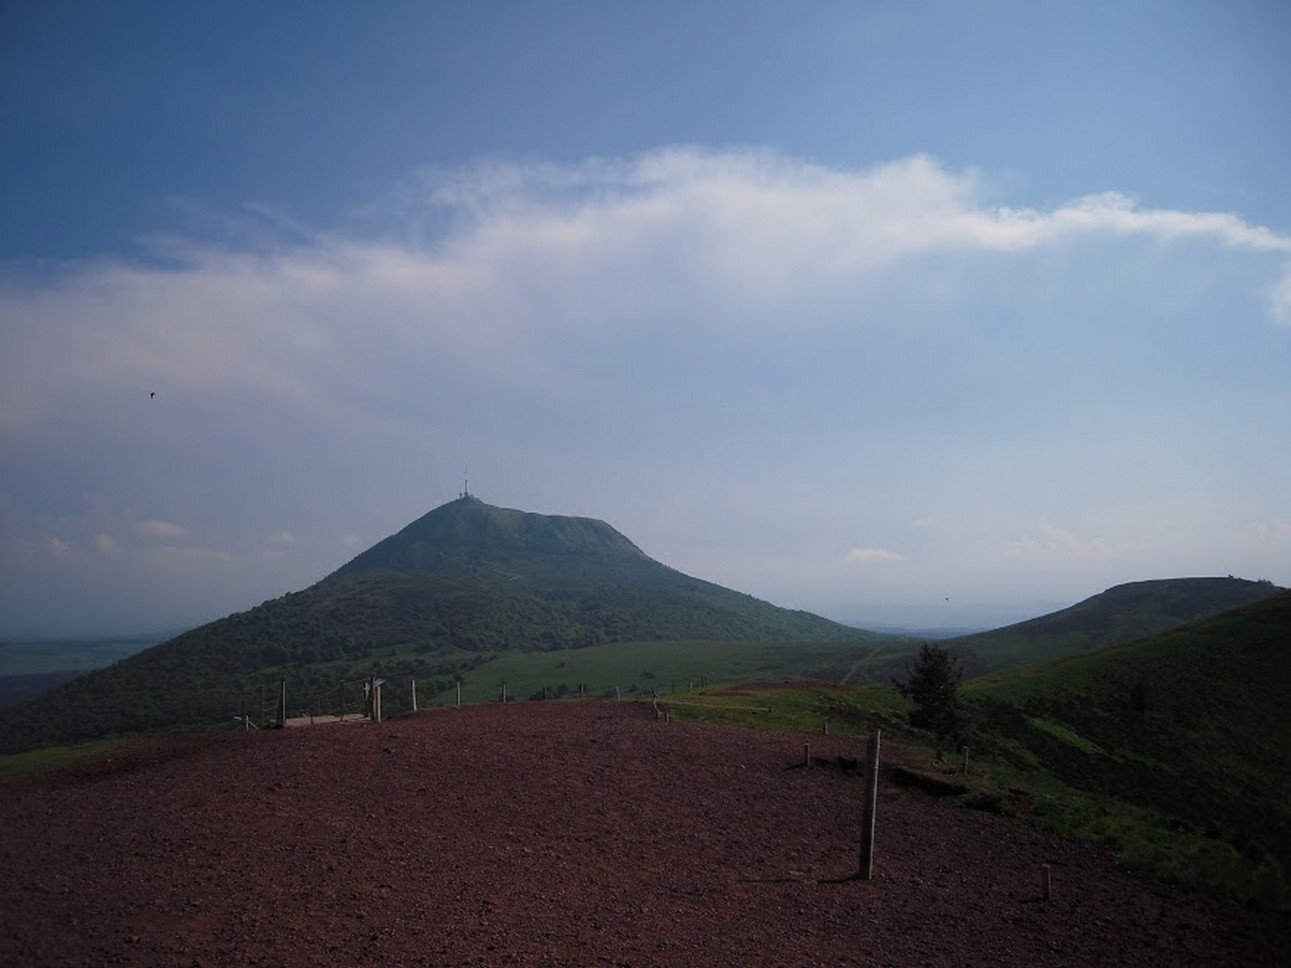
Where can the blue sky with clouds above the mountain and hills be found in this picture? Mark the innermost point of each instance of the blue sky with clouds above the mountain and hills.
(906, 313)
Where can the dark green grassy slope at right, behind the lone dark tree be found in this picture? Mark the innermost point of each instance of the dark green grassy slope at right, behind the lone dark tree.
(1194, 723)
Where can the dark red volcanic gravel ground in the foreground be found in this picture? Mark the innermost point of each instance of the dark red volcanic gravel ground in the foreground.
(556, 834)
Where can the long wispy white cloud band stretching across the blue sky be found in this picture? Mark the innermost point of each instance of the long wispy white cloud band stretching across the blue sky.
(538, 261)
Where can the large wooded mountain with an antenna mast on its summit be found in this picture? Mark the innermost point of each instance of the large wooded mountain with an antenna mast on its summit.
(437, 601)
